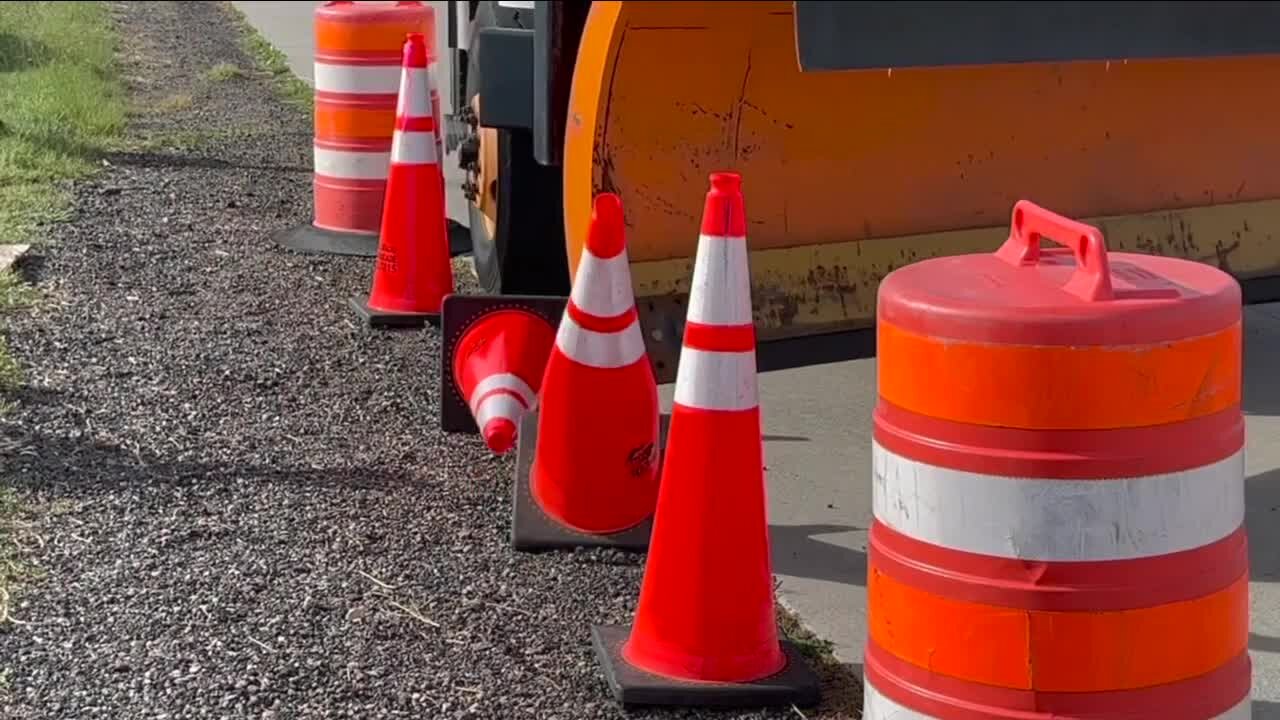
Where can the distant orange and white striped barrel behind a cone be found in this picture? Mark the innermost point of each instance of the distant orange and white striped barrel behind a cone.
(358, 75)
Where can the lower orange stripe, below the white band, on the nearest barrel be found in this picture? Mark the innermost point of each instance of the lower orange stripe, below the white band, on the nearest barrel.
(1055, 651)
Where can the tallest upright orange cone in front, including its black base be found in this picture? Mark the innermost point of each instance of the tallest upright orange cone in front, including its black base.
(705, 630)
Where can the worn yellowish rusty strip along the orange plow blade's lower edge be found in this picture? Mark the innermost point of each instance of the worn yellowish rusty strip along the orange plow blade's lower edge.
(815, 290)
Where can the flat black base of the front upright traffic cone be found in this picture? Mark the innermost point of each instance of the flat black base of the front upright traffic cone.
(796, 685)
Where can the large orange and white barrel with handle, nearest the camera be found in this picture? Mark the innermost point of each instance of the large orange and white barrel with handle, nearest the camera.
(1059, 487)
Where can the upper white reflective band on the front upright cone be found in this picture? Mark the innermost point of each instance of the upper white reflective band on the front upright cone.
(721, 290)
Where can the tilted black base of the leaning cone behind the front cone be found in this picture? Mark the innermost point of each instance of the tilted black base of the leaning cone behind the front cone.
(534, 531)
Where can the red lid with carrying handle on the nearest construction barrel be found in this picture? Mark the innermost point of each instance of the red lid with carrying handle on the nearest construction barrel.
(1075, 295)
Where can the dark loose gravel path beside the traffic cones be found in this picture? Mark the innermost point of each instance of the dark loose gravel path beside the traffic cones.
(241, 502)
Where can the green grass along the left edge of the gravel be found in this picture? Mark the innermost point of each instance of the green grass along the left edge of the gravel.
(62, 106)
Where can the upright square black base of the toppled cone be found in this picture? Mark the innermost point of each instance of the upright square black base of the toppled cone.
(458, 315)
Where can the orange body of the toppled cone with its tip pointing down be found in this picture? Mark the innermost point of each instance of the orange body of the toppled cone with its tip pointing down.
(499, 366)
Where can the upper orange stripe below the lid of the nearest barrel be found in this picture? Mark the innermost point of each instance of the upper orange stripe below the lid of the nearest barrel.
(1060, 388)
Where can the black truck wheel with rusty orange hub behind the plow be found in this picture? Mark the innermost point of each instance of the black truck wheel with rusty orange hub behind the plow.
(518, 229)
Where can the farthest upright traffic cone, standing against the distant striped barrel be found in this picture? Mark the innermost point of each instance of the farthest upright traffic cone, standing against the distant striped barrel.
(413, 274)
